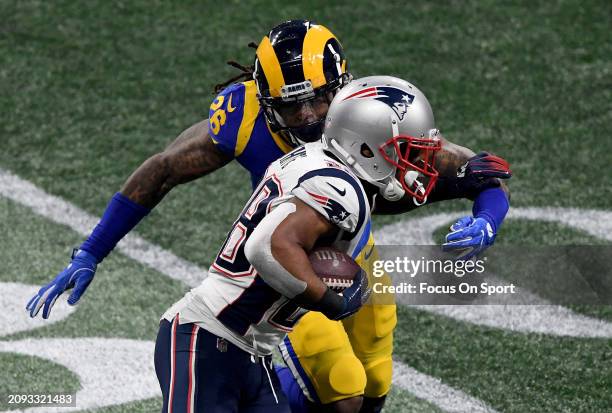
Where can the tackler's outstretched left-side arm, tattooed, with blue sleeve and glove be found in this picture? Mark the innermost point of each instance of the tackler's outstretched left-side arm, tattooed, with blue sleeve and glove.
(193, 154)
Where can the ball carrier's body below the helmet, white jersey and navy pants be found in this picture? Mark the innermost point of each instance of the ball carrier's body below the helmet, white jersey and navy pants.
(215, 344)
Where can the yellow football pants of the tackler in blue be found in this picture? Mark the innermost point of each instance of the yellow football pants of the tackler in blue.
(335, 360)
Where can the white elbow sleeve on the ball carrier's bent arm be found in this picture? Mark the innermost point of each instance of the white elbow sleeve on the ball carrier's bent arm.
(258, 250)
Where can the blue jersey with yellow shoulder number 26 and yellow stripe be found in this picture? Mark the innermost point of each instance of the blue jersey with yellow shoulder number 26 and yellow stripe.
(238, 126)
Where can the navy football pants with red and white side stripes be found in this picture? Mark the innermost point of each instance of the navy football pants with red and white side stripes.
(199, 372)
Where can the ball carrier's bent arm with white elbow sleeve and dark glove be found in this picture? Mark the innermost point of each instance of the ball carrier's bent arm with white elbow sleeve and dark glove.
(278, 249)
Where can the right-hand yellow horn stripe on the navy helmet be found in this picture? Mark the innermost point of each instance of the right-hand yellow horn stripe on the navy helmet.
(312, 54)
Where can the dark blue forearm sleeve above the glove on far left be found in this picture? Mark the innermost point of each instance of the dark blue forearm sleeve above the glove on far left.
(120, 217)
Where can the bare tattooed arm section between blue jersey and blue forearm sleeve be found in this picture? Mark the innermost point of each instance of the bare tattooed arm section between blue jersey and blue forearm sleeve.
(193, 154)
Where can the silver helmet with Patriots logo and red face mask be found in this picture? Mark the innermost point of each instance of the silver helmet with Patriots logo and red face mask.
(383, 128)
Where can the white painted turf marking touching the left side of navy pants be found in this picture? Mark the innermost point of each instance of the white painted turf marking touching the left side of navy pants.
(111, 371)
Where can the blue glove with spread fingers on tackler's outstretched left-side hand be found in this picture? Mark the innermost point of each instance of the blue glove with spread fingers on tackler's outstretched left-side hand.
(78, 274)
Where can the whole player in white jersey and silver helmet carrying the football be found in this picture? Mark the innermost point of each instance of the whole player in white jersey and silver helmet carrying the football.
(214, 346)
